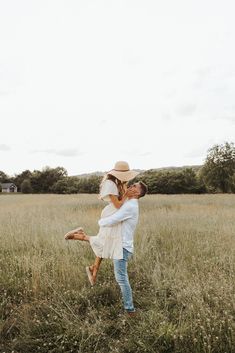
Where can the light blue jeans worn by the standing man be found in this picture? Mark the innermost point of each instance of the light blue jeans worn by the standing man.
(121, 276)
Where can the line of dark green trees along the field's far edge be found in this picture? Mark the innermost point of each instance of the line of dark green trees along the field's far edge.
(217, 174)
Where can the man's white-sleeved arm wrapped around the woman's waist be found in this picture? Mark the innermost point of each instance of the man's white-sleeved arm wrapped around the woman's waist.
(125, 212)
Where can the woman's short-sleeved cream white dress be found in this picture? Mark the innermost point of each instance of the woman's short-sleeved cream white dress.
(108, 242)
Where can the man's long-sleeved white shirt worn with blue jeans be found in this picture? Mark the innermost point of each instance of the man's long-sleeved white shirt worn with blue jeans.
(128, 214)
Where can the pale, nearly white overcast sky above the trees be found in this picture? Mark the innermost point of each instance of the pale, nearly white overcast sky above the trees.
(85, 83)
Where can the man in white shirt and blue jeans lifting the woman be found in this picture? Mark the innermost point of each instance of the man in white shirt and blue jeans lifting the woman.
(128, 214)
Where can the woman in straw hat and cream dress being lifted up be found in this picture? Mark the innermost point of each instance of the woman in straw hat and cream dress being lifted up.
(108, 242)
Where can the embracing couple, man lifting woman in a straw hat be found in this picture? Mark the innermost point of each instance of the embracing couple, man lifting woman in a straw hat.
(117, 225)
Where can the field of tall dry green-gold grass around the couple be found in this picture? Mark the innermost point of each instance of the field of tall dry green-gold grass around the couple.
(182, 275)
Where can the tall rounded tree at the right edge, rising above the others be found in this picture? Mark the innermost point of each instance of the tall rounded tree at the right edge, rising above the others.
(219, 168)
